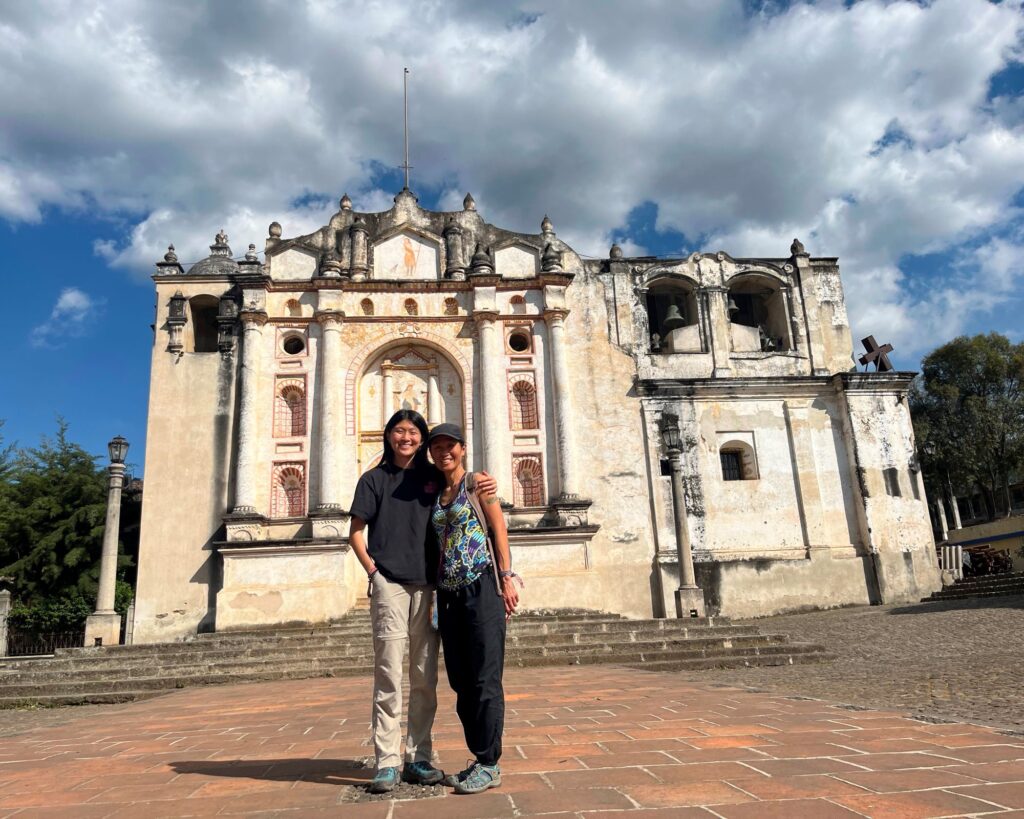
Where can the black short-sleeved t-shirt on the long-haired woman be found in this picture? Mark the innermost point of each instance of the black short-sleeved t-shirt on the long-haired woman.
(396, 504)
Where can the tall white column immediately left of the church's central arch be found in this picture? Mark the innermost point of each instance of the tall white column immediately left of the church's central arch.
(332, 412)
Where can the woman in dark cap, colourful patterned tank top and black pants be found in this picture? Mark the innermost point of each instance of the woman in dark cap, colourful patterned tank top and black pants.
(476, 596)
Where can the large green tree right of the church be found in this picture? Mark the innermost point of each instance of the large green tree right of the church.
(969, 417)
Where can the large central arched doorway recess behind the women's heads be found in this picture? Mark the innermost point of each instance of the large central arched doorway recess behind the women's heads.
(406, 377)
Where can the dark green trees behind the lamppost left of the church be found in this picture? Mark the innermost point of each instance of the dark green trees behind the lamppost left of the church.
(53, 515)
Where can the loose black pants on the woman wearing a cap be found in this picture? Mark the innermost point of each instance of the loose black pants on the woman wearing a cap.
(473, 625)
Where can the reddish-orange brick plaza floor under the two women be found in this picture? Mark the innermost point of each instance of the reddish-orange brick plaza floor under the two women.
(594, 743)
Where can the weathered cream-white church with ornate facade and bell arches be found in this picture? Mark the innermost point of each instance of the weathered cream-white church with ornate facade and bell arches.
(272, 381)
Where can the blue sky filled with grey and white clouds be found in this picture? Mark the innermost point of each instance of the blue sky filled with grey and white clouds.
(890, 135)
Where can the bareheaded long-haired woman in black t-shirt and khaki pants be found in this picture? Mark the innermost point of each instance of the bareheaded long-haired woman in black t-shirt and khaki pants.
(396, 499)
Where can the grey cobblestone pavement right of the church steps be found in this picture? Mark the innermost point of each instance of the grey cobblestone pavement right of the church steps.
(960, 660)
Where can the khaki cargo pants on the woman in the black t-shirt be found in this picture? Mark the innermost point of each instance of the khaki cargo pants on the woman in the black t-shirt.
(401, 615)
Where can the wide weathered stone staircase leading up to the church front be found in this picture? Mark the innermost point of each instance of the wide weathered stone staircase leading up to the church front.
(124, 673)
